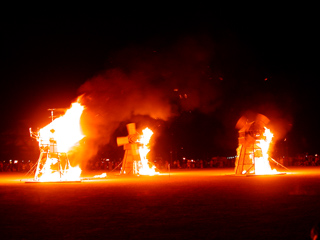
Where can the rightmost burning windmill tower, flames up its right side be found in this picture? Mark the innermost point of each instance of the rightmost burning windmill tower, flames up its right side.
(254, 141)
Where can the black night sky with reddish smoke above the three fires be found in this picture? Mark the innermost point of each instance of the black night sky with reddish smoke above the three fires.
(205, 69)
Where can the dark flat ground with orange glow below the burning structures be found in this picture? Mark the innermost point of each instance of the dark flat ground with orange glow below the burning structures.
(188, 204)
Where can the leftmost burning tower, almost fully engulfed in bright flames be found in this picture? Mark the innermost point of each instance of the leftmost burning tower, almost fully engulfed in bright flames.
(55, 140)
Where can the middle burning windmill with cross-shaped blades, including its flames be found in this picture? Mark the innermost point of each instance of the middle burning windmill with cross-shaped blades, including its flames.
(136, 149)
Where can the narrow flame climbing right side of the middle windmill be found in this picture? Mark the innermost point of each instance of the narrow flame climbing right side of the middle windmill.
(145, 168)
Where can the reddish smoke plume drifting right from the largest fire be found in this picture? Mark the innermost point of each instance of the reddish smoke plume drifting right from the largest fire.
(155, 82)
